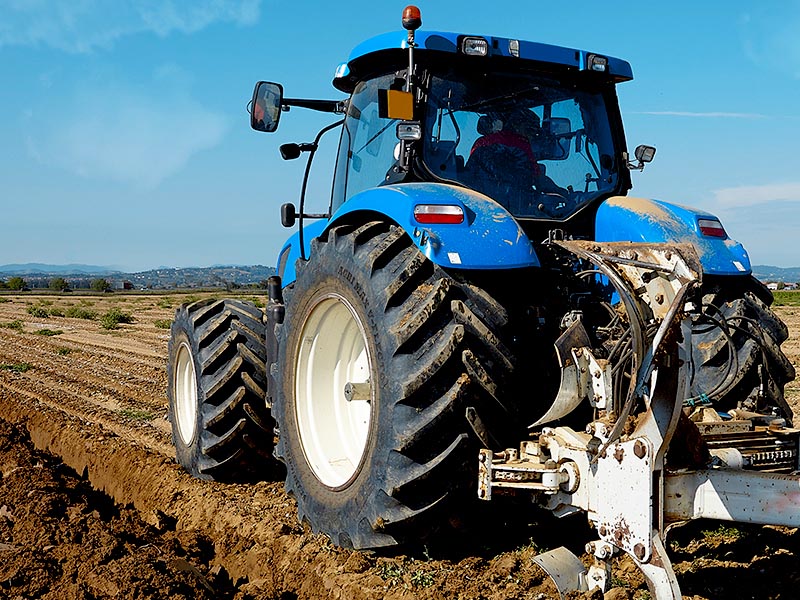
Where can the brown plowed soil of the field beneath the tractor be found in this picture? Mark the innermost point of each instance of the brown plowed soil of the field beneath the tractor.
(93, 506)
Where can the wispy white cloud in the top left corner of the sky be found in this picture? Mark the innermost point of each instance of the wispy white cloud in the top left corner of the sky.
(83, 25)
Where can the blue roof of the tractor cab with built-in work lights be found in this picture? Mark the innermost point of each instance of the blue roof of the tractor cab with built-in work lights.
(364, 56)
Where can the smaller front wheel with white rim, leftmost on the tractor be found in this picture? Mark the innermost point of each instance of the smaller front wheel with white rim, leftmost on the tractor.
(221, 427)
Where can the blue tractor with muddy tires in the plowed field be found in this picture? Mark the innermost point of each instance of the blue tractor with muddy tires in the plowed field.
(479, 252)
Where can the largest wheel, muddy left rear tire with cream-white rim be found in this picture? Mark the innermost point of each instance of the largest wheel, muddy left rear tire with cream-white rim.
(382, 356)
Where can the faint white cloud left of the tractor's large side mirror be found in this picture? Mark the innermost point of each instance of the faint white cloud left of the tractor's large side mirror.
(123, 135)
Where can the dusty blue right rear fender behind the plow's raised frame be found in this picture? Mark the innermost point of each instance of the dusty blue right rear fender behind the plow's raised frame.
(622, 218)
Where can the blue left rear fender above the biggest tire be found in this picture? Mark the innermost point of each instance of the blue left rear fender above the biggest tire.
(488, 238)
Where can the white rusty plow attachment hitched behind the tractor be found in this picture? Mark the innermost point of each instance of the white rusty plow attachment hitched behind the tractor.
(617, 468)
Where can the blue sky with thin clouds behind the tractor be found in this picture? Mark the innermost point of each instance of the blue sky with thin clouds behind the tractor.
(125, 139)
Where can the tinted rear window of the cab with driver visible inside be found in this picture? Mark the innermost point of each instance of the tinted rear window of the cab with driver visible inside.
(540, 148)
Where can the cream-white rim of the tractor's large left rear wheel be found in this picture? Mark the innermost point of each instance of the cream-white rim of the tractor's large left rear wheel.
(333, 352)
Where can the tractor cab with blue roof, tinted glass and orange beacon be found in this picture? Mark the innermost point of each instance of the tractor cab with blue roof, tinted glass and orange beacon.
(534, 127)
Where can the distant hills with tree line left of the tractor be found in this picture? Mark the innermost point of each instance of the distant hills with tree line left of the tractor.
(80, 276)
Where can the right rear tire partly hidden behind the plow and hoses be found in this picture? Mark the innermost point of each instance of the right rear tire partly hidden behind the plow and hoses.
(736, 350)
